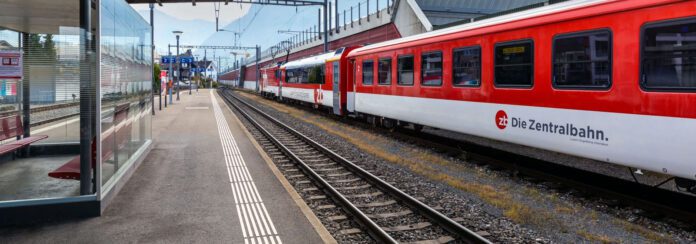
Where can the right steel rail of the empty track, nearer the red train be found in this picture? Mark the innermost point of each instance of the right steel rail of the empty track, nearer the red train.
(450, 225)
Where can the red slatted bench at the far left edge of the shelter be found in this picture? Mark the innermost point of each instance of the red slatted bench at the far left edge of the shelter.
(11, 128)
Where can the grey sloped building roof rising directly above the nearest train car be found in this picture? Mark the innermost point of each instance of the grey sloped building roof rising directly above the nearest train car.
(443, 12)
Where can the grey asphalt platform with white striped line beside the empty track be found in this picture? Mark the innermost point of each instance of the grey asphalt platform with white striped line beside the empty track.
(195, 187)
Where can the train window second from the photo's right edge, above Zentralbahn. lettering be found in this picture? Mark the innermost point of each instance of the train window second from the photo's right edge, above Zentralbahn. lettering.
(582, 60)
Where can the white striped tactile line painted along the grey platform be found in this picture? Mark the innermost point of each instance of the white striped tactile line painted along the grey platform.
(256, 223)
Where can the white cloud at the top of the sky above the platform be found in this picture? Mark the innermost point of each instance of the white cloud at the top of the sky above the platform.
(202, 11)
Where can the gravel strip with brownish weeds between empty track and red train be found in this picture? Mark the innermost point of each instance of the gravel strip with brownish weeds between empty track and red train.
(509, 209)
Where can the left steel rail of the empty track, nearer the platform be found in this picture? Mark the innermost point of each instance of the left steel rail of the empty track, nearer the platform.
(372, 228)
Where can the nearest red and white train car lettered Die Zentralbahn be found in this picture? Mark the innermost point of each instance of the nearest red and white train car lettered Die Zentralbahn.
(613, 81)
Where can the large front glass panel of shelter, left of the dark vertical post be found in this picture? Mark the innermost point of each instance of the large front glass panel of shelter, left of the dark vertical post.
(40, 69)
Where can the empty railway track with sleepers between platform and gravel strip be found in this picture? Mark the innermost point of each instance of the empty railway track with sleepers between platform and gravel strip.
(384, 212)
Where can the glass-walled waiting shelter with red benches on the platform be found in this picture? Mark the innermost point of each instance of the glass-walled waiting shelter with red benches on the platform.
(75, 105)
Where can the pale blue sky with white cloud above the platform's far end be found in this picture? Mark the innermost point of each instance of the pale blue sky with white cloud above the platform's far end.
(257, 24)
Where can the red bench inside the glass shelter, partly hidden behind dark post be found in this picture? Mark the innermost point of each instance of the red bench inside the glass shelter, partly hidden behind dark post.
(118, 134)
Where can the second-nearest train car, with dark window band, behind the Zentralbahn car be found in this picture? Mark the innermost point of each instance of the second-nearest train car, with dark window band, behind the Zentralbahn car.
(317, 80)
